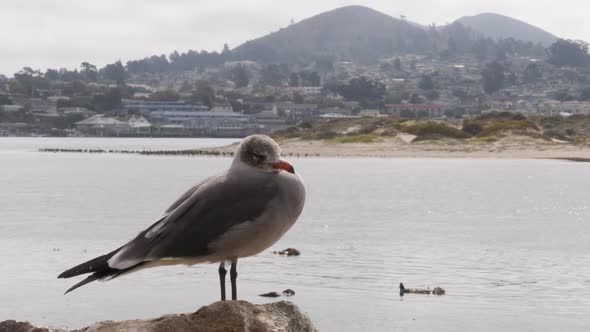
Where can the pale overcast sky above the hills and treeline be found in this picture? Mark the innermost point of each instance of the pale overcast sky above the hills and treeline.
(63, 33)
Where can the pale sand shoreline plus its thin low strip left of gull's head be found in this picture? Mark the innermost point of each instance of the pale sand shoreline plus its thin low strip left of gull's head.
(505, 148)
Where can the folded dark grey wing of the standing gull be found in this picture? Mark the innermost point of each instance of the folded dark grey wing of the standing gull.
(198, 218)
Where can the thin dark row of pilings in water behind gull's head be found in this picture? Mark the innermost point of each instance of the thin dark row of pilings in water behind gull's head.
(191, 152)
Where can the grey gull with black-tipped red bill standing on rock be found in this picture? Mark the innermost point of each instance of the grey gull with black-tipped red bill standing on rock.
(236, 214)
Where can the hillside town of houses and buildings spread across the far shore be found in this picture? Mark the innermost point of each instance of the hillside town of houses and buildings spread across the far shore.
(453, 85)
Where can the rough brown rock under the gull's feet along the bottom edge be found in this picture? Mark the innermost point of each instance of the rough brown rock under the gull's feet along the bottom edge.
(222, 316)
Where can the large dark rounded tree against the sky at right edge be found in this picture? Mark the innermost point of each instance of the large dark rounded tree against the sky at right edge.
(567, 52)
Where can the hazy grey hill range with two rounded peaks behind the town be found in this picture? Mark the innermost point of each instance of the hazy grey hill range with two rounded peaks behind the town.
(362, 35)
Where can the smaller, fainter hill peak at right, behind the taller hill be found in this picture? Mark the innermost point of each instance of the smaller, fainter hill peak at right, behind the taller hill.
(498, 26)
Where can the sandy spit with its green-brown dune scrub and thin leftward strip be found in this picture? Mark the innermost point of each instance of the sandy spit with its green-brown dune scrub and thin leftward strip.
(490, 135)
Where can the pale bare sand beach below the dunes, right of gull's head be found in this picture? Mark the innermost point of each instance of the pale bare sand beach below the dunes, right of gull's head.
(510, 148)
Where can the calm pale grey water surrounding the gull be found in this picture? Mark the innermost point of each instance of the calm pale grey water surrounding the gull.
(508, 239)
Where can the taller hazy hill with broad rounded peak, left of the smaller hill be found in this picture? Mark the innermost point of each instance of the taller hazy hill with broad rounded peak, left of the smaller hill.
(353, 33)
